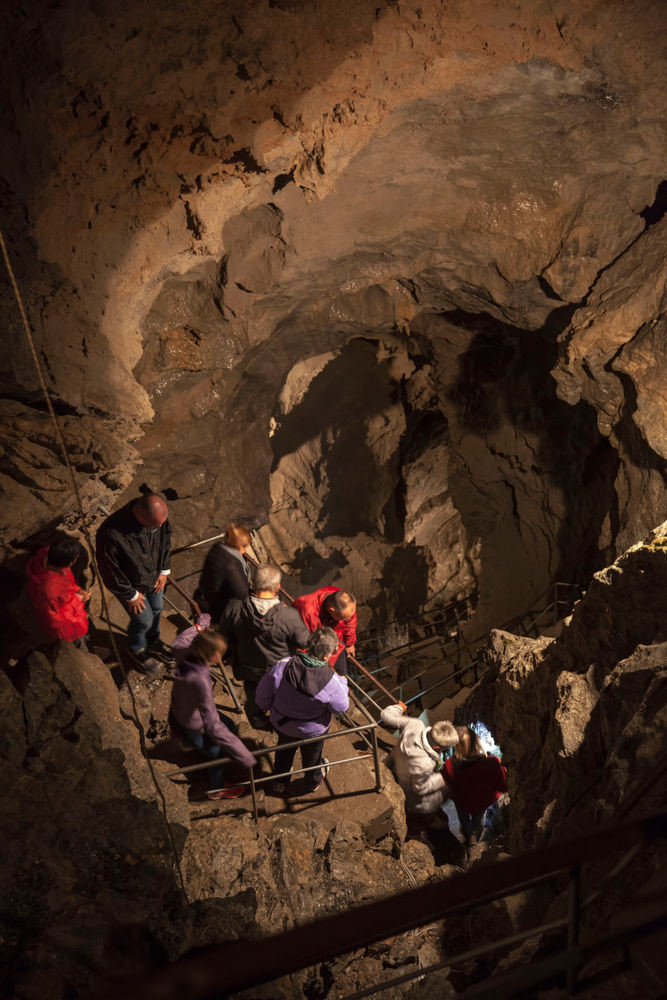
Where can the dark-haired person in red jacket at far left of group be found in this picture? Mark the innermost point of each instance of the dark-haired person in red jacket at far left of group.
(58, 600)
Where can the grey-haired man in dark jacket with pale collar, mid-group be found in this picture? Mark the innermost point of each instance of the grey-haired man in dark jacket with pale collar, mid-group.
(261, 631)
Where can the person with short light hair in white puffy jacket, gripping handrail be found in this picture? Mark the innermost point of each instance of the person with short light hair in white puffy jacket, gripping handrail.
(417, 761)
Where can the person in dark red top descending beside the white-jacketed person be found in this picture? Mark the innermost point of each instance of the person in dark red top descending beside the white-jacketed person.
(476, 780)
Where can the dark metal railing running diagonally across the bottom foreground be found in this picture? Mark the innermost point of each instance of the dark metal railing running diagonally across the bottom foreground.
(235, 966)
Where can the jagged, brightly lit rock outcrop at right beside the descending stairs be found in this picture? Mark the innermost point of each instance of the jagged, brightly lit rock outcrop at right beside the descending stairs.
(582, 718)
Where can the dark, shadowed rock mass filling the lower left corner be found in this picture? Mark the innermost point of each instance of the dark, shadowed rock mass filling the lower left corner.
(84, 841)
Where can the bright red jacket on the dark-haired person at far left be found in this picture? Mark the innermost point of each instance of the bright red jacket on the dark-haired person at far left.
(59, 611)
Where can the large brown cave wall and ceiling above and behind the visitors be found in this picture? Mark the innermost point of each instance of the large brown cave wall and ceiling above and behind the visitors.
(388, 278)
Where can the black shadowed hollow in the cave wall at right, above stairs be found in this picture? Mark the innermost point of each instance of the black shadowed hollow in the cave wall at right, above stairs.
(505, 376)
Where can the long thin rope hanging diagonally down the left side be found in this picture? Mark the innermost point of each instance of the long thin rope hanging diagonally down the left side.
(91, 550)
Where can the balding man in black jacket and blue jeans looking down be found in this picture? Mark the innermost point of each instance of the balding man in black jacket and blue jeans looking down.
(133, 547)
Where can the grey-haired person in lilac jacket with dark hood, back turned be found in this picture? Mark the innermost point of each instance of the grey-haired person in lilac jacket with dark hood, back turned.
(301, 693)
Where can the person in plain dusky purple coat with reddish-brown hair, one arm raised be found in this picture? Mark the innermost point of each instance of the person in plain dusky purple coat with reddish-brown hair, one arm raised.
(193, 713)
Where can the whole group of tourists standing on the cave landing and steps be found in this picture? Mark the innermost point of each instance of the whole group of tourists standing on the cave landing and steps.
(292, 662)
